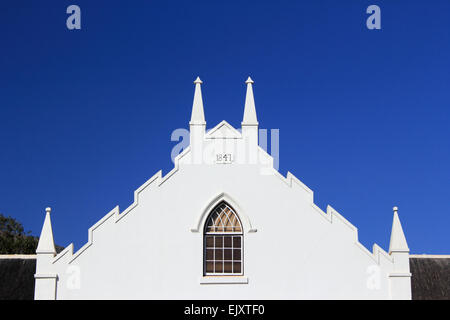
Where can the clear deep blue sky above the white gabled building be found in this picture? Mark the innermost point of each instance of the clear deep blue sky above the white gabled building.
(86, 115)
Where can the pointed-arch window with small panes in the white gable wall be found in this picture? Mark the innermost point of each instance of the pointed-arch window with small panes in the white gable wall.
(223, 242)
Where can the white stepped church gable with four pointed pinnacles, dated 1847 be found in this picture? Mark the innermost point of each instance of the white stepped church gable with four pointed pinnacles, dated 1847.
(223, 224)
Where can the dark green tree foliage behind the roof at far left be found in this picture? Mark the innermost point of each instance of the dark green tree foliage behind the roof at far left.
(13, 238)
